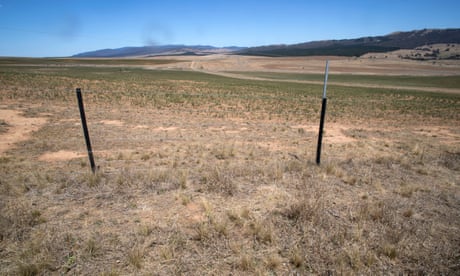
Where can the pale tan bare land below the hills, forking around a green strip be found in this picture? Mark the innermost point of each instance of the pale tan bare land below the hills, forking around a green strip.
(229, 66)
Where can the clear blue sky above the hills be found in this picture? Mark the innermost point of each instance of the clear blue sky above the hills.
(39, 28)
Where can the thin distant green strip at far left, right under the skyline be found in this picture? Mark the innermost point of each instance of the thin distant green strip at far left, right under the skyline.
(83, 61)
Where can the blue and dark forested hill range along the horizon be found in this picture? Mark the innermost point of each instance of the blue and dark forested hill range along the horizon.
(344, 47)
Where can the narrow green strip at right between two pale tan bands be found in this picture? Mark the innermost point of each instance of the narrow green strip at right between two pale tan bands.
(414, 81)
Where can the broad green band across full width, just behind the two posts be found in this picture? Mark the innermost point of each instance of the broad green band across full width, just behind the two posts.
(190, 90)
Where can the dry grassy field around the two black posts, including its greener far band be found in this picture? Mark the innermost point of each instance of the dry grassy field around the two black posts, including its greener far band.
(202, 174)
